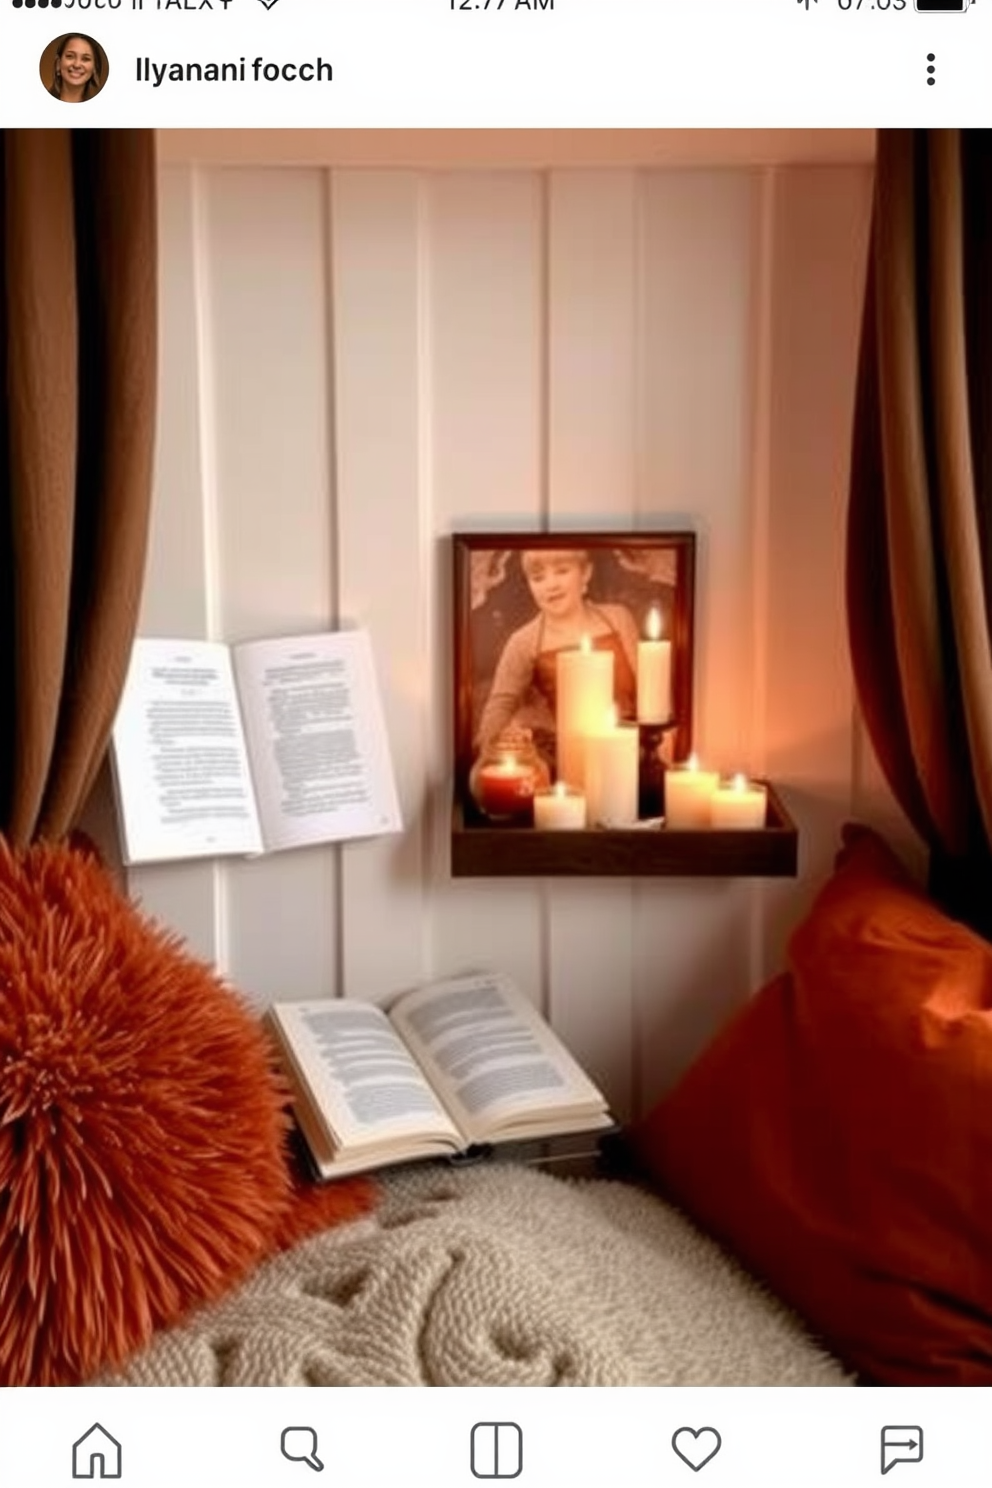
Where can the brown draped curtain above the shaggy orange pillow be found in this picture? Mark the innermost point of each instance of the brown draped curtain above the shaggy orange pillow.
(78, 358)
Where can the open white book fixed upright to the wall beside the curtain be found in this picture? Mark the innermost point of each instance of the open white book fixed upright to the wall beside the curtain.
(251, 749)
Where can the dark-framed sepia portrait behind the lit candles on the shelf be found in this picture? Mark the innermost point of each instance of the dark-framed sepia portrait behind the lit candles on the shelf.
(530, 608)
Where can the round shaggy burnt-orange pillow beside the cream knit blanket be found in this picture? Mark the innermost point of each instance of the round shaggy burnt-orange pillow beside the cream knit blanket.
(144, 1135)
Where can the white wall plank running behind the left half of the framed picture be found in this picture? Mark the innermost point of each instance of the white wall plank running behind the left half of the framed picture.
(486, 327)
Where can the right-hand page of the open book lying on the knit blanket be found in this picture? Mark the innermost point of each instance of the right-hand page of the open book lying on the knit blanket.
(490, 1054)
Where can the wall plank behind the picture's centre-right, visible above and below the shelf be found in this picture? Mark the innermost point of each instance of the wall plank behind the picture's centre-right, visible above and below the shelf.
(593, 260)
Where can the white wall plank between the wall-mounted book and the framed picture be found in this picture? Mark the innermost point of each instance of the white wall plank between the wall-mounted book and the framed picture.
(384, 551)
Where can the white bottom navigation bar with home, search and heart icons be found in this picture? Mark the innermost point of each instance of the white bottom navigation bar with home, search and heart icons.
(544, 1438)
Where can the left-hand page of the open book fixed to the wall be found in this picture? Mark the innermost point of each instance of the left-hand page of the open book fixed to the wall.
(179, 757)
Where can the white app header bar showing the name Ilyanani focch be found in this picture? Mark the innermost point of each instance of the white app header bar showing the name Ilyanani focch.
(509, 63)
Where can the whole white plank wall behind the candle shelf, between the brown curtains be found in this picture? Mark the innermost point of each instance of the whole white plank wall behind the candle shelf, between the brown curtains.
(358, 364)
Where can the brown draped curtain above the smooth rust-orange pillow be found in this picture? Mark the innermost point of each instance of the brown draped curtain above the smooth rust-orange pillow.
(920, 525)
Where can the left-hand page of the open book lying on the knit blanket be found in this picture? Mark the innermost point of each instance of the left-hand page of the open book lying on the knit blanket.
(361, 1077)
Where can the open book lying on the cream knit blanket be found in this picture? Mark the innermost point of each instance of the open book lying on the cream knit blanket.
(448, 1068)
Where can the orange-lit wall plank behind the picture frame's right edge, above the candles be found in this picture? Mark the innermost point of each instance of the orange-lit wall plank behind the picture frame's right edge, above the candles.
(695, 403)
